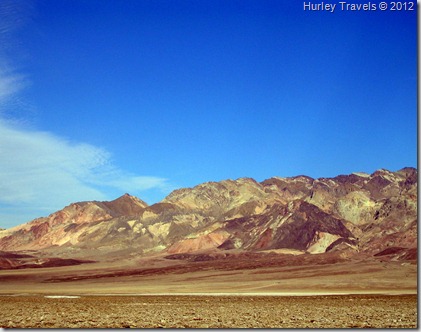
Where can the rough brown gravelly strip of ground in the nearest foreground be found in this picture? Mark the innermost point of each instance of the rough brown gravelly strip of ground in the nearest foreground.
(334, 311)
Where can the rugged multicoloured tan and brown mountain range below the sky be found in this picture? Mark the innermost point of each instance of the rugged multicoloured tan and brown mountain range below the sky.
(355, 215)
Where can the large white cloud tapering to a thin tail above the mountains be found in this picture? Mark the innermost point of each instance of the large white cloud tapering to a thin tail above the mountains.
(42, 172)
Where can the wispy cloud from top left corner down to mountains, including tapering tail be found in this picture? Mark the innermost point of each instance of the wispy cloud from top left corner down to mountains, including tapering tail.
(41, 172)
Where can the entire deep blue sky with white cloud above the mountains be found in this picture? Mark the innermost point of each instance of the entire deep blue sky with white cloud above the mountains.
(102, 98)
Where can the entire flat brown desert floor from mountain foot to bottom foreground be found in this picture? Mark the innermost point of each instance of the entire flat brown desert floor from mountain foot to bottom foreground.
(245, 292)
